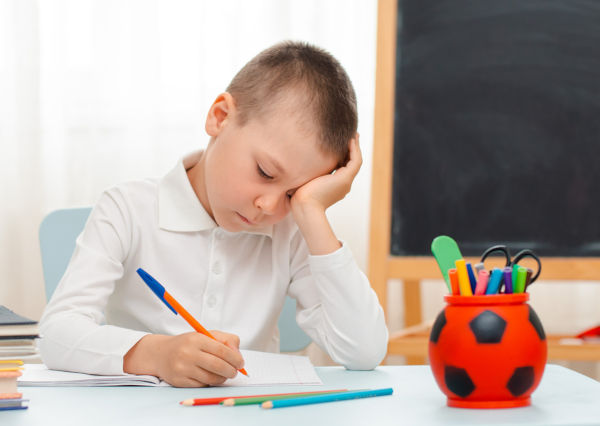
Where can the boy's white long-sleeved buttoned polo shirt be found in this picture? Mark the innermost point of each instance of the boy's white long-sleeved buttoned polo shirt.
(233, 282)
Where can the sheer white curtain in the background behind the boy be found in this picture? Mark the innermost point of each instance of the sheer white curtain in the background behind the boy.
(95, 92)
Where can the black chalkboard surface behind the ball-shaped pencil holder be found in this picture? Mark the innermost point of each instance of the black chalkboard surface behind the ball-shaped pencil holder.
(497, 126)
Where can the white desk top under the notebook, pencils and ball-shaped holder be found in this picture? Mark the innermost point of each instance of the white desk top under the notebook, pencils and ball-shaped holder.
(564, 397)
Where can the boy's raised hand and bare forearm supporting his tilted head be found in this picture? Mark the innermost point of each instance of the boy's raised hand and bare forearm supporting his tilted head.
(309, 202)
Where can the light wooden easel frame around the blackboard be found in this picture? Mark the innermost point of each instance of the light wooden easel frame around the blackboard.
(413, 269)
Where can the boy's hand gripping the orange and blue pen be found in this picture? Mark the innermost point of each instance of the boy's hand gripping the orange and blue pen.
(187, 360)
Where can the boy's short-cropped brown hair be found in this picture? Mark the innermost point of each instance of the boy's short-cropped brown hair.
(298, 65)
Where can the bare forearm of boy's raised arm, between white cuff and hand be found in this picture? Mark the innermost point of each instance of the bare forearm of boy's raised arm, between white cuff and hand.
(316, 230)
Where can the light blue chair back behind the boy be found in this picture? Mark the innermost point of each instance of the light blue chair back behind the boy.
(58, 233)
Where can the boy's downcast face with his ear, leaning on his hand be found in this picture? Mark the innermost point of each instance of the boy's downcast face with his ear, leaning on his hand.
(251, 171)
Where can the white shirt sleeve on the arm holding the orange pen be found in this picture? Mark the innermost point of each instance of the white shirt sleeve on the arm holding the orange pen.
(74, 334)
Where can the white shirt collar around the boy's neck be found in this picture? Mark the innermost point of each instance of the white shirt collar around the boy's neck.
(179, 208)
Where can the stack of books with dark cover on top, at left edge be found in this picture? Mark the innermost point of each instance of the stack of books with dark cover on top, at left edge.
(17, 336)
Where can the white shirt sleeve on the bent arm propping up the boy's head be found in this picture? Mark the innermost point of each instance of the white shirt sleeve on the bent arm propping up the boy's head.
(338, 308)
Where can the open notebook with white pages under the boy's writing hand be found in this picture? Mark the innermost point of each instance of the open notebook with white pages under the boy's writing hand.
(263, 369)
